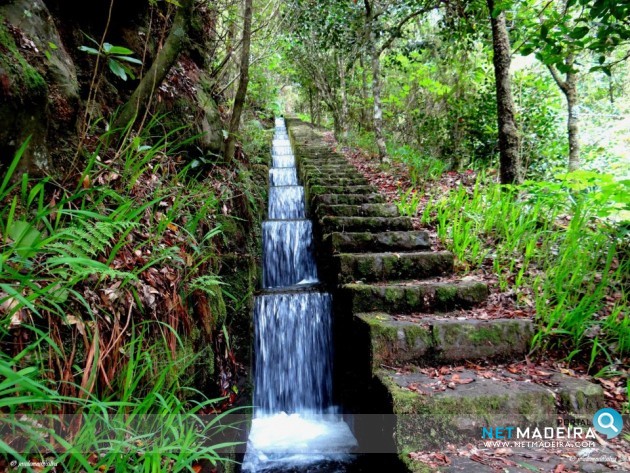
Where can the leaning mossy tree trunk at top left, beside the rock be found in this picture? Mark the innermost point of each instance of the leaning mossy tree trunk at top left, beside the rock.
(165, 59)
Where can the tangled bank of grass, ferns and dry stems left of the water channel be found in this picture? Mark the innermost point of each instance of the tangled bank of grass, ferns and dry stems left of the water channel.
(95, 310)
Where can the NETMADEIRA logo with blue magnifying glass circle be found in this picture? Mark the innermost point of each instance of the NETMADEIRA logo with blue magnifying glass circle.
(606, 422)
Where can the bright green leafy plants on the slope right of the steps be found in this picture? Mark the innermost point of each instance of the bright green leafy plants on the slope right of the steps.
(549, 238)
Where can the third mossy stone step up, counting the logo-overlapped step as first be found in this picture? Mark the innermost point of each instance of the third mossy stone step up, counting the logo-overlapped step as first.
(425, 296)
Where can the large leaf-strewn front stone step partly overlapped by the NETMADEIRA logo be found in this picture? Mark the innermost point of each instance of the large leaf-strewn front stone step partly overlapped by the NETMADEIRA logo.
(433, 411)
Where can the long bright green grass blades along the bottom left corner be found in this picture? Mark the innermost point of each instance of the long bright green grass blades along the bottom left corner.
(146, 428)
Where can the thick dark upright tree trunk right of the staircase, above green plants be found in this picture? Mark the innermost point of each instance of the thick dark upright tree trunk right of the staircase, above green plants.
(510, 166)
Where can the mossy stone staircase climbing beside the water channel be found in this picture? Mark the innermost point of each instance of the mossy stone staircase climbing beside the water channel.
(406, 344)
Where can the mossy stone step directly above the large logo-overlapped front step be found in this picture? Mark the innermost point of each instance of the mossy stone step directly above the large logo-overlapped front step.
(396, 341)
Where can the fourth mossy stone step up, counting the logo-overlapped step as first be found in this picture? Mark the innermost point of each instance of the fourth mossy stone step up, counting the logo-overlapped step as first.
(392, 266)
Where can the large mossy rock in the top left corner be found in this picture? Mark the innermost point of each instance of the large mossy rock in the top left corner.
(39, 90)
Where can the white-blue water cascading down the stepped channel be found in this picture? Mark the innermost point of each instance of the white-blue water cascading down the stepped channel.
(295, 422)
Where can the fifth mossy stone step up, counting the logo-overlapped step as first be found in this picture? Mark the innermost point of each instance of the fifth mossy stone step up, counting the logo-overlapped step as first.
(357, 242)
